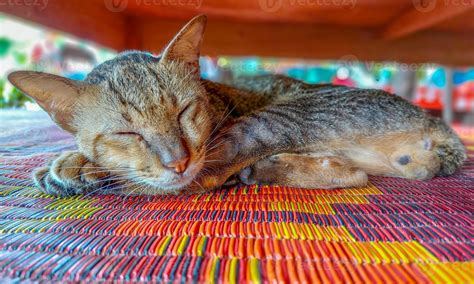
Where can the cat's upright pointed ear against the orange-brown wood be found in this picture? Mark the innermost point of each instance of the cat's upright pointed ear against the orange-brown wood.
(186, 45)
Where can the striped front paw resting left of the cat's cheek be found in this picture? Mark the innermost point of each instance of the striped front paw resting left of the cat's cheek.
(69, 174)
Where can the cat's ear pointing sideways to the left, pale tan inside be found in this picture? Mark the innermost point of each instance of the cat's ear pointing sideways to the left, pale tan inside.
(56, 95)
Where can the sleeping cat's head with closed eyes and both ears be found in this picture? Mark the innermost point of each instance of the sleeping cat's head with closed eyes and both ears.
(144, 118)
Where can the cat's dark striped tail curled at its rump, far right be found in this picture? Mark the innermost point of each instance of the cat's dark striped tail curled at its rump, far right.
(449, 149)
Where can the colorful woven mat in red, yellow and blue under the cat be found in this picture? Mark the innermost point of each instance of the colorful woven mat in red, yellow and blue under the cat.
(391, 231)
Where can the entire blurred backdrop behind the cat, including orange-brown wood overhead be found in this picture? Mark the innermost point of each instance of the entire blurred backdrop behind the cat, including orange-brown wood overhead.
(70, 39)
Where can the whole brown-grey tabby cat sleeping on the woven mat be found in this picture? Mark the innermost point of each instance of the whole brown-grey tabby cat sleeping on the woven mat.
(149, 124)
